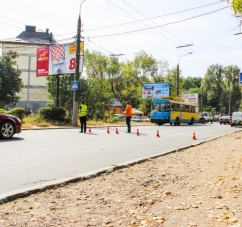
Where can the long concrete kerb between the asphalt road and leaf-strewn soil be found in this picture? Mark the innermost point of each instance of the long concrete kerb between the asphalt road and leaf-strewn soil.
(22, 193)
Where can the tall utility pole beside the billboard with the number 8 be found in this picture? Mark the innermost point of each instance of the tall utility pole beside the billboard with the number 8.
(76, 76)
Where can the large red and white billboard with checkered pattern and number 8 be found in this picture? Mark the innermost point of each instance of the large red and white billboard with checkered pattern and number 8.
(58, 59)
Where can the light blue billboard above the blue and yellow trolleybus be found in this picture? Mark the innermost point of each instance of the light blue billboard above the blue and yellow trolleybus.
(155, 90)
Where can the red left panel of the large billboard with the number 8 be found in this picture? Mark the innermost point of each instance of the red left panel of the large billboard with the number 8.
(42, 61)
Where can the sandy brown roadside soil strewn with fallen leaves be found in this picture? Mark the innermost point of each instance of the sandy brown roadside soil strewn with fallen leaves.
(198, 186)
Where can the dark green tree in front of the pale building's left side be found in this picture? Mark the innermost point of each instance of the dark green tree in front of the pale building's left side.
(10, 81)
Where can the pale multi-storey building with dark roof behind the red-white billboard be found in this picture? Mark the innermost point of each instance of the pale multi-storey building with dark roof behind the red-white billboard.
(34, 94)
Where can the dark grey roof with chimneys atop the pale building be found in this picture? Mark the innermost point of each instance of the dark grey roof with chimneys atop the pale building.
(33, 36)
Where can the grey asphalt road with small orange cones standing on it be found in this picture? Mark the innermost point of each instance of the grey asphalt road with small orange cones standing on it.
(39, 157)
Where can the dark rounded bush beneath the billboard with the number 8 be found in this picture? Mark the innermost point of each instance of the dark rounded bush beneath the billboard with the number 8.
(52, 113)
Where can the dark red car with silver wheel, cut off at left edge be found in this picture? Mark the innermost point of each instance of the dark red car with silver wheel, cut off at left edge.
(9, 125)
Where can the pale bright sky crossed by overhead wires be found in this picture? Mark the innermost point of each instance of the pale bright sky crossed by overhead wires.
(168, 30)
